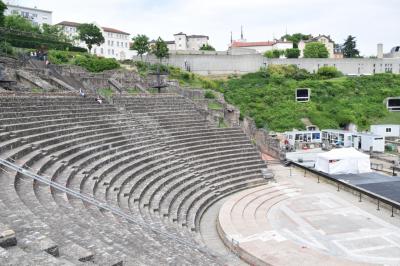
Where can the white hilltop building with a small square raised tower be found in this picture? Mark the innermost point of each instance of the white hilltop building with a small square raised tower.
(183, 42)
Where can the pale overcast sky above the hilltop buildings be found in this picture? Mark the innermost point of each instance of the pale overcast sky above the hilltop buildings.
(371, 21)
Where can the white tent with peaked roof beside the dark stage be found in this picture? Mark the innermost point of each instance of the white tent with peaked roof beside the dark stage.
(343, 161)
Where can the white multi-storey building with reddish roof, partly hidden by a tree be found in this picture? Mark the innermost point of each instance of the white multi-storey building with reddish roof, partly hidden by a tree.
(116, 42)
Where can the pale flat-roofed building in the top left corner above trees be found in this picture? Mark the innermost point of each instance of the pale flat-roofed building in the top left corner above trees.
(36, 16)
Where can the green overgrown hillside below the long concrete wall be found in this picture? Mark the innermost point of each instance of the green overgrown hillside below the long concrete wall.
(268, 97)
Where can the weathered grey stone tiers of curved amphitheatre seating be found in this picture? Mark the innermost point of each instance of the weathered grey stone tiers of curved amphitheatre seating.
(153, 156)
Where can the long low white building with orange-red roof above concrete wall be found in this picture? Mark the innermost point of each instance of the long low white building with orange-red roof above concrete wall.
(261, 47)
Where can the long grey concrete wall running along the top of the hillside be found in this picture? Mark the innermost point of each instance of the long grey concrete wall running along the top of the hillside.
(240, 64)
